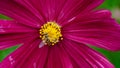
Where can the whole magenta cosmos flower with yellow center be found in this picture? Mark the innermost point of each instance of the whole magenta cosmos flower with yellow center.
(56, 33)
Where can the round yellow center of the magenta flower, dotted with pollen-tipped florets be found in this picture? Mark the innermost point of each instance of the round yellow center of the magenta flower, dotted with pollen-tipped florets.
(50, 33)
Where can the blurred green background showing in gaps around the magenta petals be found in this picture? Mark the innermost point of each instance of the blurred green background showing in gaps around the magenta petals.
(114, 57)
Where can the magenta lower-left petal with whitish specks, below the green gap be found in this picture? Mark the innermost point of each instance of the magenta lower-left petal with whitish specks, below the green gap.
(27, 56)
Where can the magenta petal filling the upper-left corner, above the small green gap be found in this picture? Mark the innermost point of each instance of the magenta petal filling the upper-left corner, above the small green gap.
(19, 13)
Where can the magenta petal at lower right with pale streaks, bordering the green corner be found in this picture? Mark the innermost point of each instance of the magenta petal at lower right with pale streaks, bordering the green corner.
(84, 57)
